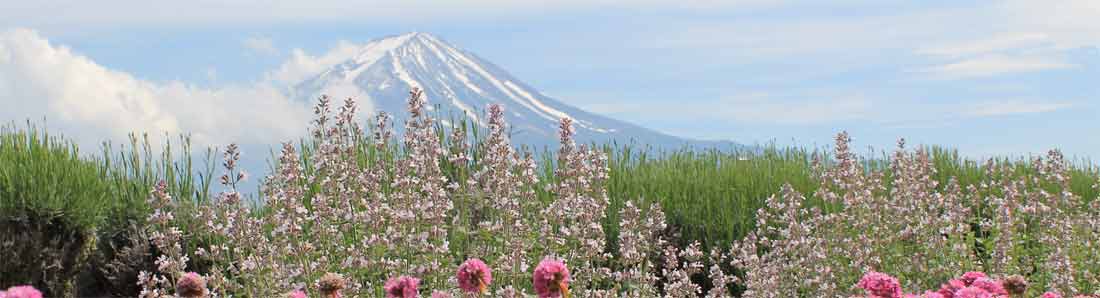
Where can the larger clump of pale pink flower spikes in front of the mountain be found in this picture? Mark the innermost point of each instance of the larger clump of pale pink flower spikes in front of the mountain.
(398, 227)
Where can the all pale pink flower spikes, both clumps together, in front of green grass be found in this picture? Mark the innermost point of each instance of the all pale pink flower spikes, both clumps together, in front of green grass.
(336, 219)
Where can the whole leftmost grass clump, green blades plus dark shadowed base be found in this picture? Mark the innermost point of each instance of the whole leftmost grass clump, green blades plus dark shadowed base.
(61, 205)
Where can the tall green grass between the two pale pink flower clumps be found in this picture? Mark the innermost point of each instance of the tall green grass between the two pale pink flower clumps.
(709, 196)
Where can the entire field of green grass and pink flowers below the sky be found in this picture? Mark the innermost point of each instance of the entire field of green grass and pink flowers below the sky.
(355, 212)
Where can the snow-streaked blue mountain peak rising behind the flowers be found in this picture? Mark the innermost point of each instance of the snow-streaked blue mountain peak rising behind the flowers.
(459, 83)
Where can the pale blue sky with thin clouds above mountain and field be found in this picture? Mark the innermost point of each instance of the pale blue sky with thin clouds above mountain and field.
(988, 78)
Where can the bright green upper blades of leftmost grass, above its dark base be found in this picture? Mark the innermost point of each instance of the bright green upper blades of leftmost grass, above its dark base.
(49, 176)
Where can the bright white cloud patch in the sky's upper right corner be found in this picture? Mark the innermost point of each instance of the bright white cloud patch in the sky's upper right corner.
(1018, 37)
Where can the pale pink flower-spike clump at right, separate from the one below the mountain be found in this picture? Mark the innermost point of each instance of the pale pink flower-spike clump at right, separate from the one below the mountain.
(901, 220)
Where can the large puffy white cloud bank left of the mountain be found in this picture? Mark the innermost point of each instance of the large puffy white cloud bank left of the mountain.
(92, 103)
